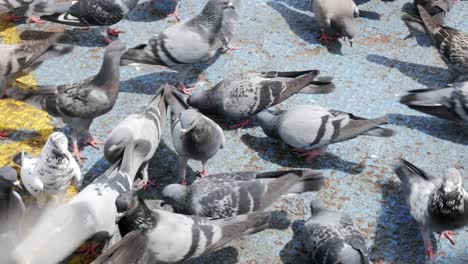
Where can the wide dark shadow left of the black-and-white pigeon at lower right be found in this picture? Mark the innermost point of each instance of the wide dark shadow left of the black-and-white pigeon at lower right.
(397, 237)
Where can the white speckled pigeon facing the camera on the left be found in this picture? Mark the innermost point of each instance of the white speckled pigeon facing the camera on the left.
(52, 172)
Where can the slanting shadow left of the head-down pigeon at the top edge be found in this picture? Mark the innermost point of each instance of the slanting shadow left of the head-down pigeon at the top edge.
(304, 26)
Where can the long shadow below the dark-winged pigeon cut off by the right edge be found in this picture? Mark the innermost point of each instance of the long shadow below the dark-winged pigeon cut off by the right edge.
(433, 126)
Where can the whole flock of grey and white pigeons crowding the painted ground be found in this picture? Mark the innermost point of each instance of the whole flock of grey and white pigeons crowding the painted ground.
(215, 209)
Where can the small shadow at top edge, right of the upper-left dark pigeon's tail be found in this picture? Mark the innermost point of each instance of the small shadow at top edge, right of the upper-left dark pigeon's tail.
(150, 11)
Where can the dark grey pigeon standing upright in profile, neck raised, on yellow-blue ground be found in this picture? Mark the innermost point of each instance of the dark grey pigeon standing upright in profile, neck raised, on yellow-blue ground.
(78, 104)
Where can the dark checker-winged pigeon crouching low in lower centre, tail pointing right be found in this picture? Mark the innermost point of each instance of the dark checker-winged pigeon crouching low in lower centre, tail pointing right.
(229, 194)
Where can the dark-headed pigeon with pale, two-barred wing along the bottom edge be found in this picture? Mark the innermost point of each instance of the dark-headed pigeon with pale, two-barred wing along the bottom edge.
(157, 236)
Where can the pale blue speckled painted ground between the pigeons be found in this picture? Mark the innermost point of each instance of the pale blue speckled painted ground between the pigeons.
(370, 77)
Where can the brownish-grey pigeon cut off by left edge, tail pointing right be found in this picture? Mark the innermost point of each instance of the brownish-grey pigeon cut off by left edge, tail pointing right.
(18, 60)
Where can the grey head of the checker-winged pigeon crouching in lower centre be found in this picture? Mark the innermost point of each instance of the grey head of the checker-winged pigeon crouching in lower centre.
(177, 196)
